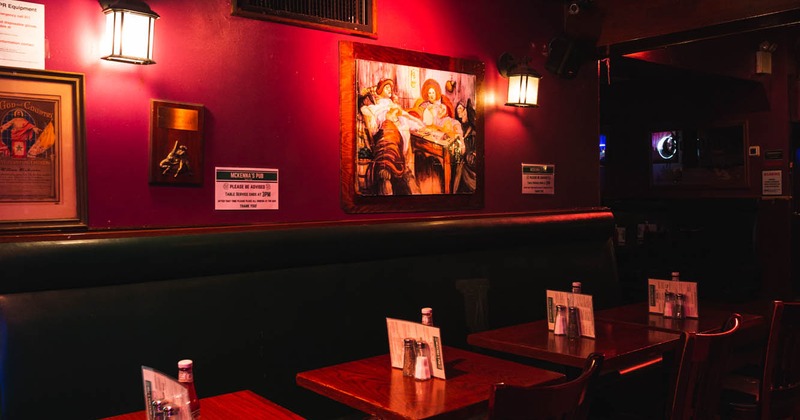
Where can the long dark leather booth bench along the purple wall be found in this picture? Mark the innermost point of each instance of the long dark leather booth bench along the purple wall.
(253, 306)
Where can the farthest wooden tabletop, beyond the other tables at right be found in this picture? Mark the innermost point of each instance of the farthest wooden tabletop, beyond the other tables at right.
(711, 318)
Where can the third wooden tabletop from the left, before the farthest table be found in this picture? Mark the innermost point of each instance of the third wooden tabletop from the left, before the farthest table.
(624, 346)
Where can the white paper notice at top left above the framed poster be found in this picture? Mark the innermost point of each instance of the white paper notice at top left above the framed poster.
(21, 34)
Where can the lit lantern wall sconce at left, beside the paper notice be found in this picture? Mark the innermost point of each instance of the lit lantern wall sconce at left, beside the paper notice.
(130, 26)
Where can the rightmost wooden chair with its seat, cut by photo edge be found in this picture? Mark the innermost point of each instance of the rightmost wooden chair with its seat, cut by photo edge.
(775, 392)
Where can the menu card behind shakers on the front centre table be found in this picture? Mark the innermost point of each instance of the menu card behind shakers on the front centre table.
(399, 330)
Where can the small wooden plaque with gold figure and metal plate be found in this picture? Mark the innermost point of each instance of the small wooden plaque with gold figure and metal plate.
(176, 143)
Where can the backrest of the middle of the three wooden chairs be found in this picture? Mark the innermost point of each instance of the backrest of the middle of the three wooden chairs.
(698, 379)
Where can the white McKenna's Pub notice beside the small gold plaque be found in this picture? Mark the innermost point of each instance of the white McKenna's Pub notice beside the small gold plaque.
(245, 189)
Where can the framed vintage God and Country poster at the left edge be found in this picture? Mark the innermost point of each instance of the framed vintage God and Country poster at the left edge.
(42, 150)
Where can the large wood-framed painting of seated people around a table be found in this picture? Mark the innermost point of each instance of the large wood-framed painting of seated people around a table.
(411, 130)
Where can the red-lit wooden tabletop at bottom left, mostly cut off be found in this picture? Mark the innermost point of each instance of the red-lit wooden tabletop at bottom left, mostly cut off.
(236, 405)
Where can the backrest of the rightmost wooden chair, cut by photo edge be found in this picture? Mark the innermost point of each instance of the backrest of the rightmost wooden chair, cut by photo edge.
(780, 385)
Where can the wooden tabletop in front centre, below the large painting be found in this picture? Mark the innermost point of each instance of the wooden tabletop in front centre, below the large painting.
(371, 385)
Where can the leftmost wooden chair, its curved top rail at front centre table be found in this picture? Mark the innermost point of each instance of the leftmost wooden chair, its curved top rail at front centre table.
(565, 401)
